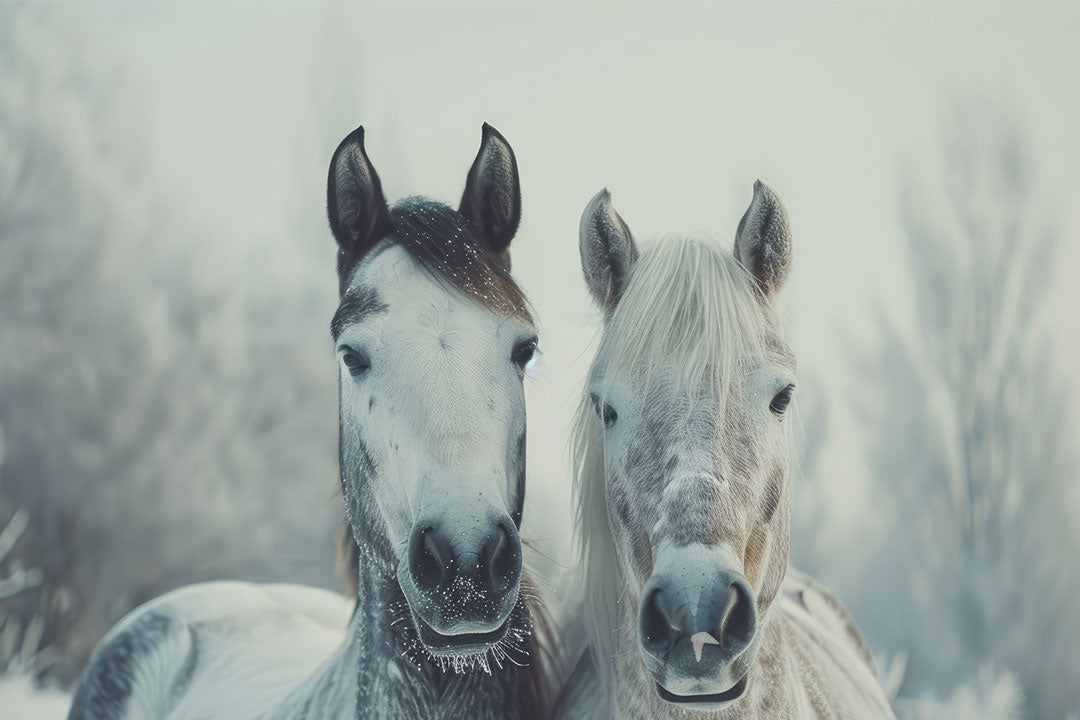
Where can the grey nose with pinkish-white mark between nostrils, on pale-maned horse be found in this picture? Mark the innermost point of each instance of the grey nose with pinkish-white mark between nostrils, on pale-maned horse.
(726, 617)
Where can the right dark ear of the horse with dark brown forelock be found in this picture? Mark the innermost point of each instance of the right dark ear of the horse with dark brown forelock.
(493, 197)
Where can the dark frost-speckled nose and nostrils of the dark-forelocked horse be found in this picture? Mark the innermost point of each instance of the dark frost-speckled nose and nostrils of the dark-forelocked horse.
(489, 562)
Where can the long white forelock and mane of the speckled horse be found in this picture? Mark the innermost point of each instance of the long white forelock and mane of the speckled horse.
(690, 304)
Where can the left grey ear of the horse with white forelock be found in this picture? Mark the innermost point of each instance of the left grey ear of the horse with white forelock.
(607, 251)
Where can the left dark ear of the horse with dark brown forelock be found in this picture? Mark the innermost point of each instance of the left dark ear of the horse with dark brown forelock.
(358, 212)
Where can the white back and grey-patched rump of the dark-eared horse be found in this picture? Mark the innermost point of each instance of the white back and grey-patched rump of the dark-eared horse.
(191, 653)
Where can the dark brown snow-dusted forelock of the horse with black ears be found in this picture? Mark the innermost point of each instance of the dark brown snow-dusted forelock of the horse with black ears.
(448, 246)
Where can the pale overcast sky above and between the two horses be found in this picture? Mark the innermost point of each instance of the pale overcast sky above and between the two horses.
(677, 110)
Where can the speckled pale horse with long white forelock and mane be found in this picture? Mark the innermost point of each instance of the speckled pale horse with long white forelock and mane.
(683, 493)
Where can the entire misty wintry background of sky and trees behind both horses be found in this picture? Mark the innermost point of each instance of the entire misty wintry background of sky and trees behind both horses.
(167, 281)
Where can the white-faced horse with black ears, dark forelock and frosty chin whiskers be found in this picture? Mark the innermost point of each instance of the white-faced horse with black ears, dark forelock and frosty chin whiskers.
(434, 339)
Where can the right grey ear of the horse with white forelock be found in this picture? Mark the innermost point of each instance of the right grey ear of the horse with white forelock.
(764, 240)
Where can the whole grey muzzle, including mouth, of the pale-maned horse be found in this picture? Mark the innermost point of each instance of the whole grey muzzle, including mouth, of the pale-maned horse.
(698, 627)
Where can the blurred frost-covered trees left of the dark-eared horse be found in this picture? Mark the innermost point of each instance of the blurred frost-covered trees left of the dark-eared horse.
(166, 396)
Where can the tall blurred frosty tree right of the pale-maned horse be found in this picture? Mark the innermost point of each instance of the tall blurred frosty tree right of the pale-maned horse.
(973, 458)
